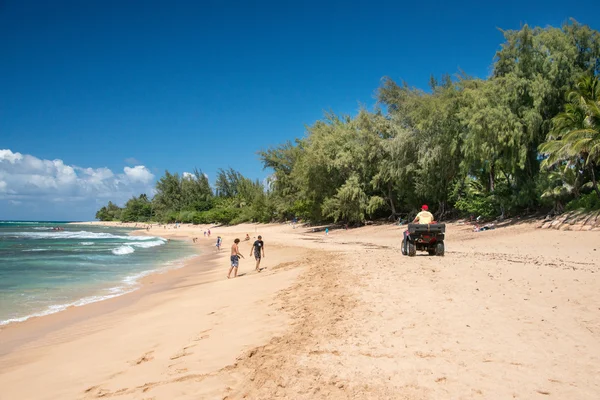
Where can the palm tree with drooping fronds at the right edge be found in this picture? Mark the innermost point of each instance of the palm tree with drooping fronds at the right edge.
(575, 137)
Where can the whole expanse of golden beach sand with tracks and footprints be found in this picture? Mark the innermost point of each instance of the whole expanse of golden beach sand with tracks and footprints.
(508, 313)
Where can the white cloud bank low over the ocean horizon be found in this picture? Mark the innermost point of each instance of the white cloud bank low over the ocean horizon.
(32, 181)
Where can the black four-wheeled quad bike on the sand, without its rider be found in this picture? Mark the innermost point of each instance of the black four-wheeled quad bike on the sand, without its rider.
(424, 237)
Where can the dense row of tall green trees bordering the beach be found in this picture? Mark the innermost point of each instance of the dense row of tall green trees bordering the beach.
(526, 138)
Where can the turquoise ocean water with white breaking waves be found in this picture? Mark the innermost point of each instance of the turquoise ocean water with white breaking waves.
(43, 270)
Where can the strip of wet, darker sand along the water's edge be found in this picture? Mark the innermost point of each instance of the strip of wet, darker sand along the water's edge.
(34, 327)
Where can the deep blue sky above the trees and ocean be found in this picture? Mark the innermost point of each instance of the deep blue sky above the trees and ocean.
(104, 85)
